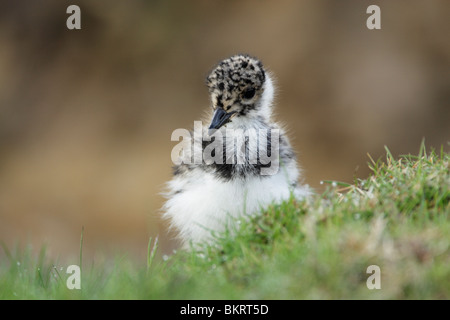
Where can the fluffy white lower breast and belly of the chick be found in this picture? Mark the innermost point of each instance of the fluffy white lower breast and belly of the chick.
(206, 204)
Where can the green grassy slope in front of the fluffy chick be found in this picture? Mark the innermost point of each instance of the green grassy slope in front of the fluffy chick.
(397, 219)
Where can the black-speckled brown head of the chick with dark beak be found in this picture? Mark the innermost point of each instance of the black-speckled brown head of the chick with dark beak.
(236, 87)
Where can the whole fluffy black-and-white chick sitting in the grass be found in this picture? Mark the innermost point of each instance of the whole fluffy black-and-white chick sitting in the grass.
(207, 197)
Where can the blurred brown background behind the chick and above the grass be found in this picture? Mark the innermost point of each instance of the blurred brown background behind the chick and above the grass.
(86, 115)
